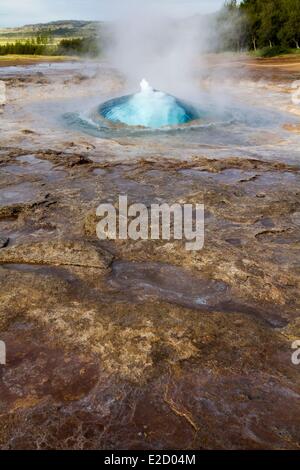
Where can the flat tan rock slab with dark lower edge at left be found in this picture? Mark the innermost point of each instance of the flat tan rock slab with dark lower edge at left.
(57, 253)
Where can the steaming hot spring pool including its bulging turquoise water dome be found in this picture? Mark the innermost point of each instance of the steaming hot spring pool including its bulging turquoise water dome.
(158, 117)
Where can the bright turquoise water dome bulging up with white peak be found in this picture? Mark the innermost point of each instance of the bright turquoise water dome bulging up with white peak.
(148, 108)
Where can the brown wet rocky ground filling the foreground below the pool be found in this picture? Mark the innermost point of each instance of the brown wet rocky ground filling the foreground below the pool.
(143, 345)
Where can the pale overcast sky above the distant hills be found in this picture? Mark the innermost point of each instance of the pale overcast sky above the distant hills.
(20, 12)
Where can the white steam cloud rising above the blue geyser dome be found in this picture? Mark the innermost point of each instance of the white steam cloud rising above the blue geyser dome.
(147, 42)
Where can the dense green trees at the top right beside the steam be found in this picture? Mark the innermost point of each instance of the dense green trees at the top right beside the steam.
(260, 24)
